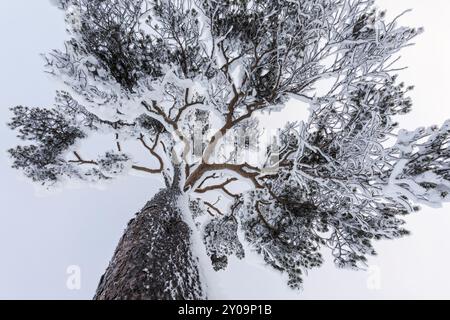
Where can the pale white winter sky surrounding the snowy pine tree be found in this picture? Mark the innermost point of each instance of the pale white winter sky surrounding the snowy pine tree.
(41, 235)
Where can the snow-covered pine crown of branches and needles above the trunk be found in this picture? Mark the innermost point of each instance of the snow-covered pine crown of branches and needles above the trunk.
(164, 72)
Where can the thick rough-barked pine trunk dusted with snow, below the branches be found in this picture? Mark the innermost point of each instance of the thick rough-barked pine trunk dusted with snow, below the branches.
(153, 259)
